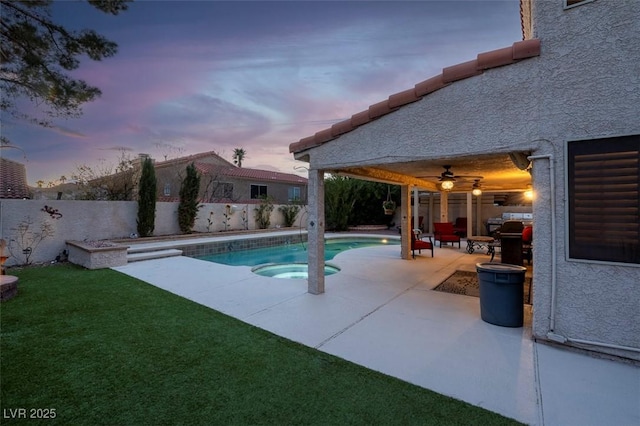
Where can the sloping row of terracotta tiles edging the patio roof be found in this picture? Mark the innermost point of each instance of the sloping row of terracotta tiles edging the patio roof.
(484, 61)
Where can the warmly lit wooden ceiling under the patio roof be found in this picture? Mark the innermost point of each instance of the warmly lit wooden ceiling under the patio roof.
(498, 172)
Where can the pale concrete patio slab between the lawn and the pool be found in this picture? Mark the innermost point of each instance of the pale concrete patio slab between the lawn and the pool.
(380, 311)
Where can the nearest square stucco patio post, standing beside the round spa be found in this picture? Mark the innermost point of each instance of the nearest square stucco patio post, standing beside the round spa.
(315, 243)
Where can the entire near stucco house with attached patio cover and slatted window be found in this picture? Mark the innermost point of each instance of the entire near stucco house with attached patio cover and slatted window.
(559, 111)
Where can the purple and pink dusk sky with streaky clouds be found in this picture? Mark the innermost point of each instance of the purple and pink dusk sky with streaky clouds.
(196, 76)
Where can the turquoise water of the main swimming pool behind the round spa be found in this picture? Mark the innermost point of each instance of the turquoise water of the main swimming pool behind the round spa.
(293, 253)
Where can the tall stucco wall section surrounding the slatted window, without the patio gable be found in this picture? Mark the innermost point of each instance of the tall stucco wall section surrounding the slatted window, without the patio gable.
(589, 75)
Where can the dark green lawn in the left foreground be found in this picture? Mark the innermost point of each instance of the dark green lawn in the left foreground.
(100, 347)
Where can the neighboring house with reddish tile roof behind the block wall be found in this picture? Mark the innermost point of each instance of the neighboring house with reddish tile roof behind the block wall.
(223, 182)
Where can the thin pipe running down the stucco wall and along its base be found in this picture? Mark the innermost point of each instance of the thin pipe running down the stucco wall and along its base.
(551, 334)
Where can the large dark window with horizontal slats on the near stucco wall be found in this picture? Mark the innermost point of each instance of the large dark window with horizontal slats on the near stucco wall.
(604, 199)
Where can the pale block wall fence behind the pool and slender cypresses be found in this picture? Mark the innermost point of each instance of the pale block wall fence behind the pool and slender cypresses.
(106, 220)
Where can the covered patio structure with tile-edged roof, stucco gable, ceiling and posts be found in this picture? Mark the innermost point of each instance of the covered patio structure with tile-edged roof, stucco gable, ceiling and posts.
(471, 132)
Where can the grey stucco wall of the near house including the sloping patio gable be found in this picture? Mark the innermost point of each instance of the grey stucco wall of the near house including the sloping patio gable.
(584, 85)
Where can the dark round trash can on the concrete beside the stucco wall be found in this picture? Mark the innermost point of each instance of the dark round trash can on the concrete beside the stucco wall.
(501, 293)
